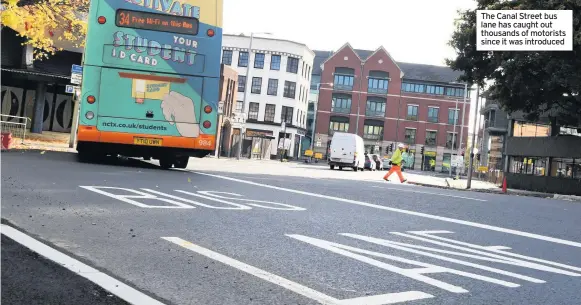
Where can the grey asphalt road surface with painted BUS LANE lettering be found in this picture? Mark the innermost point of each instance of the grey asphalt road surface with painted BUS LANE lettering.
(295, 240)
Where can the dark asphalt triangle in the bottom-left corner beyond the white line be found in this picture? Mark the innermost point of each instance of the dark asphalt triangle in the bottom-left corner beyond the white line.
(30, 279)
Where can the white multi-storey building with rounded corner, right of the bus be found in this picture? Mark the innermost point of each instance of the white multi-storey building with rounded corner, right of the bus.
(277, 90)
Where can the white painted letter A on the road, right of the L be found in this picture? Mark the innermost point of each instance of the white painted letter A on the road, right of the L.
(414, 273)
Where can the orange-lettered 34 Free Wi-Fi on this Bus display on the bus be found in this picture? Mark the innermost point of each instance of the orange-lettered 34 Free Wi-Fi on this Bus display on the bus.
(156, 22)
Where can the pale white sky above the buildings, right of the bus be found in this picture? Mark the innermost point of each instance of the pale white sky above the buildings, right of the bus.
(414, 31)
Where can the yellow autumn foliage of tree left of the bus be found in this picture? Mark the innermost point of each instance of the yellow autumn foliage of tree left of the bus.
(43, 22)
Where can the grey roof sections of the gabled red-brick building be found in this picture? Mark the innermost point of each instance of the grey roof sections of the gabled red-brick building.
(421, 72)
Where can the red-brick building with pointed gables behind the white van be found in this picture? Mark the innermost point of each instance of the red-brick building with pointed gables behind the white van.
(395, 102)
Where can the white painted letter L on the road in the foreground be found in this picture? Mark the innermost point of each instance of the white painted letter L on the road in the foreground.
(390, 298)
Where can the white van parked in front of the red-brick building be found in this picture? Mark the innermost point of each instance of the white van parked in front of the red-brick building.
(347, 150)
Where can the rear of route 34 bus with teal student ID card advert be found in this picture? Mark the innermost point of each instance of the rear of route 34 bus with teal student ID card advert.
(151, 73)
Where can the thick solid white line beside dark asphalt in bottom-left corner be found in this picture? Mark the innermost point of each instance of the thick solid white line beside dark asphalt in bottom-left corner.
(108, 283)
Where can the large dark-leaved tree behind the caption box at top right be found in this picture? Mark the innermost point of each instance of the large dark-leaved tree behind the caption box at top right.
(537, 83)
